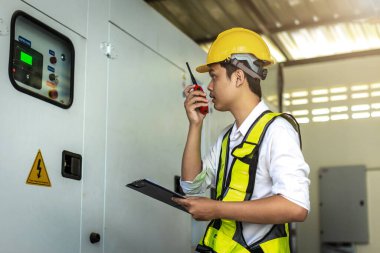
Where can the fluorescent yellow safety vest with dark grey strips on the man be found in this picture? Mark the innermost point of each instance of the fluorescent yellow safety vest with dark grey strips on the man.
(226, 236)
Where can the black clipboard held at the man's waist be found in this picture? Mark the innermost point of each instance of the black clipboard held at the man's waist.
(157, 192)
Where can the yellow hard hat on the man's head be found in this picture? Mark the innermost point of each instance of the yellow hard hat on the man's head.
(236, 41)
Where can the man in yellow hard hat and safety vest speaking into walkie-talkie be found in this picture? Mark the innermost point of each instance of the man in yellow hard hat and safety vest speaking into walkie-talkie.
(256, 166)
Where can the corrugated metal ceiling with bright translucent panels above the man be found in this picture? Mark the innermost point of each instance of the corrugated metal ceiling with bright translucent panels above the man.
(296, 30)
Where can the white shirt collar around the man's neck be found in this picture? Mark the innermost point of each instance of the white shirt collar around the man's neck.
(253, 115)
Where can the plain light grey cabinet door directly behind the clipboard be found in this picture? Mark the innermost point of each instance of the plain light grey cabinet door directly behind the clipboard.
(146, 132)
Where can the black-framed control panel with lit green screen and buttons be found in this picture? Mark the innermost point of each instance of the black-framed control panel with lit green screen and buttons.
(41, 61)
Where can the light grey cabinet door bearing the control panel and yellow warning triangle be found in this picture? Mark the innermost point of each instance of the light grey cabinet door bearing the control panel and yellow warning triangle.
(38, 218)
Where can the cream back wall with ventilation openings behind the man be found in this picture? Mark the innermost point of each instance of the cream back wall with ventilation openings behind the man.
(336, 143)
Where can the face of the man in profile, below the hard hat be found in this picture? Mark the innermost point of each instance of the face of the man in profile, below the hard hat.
(222, 89)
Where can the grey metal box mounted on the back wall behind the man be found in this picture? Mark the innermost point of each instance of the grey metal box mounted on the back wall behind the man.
(343, 204)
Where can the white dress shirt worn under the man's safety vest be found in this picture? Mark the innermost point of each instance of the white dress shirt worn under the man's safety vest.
(281, 167)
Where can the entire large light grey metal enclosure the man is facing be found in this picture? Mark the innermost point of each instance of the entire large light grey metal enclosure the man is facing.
(126, 122)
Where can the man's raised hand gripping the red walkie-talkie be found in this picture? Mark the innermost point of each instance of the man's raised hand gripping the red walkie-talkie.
(194, 100)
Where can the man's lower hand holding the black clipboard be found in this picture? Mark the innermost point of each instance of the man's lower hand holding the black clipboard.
(200, 208)
